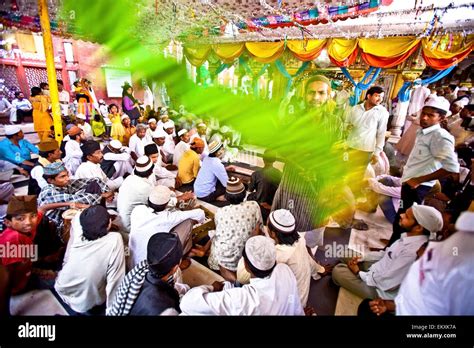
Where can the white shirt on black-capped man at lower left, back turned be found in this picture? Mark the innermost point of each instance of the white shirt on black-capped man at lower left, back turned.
(92, 270)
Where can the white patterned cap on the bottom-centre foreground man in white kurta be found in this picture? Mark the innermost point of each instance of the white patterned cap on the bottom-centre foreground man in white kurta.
(260, 252)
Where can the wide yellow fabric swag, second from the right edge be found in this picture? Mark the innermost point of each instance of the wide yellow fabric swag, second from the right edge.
(389, 46)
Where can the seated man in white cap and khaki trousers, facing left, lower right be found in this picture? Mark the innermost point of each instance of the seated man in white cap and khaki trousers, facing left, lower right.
(383, 278)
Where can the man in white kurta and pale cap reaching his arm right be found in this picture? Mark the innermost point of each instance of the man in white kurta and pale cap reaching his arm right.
(146, 221)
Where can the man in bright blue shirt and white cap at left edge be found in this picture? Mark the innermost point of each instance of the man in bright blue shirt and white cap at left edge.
(17, 150)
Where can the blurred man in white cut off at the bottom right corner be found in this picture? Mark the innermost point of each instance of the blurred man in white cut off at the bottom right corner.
(441, 281)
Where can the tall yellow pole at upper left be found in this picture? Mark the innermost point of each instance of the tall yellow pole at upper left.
(51, 69)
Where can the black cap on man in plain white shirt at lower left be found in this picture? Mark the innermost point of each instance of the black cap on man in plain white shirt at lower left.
(94, 221)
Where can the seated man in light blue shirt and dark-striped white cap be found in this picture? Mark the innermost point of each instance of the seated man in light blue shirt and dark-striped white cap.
(211, 180)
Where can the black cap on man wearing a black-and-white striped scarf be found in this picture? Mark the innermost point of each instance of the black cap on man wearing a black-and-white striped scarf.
(164, 251)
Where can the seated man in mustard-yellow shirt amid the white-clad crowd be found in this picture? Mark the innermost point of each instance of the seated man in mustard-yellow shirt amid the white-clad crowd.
(189, 164)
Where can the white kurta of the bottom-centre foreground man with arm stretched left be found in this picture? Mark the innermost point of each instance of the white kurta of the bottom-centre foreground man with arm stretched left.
(274, 295)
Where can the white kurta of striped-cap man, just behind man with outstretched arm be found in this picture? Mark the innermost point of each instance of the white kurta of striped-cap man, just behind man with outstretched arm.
(133, 192)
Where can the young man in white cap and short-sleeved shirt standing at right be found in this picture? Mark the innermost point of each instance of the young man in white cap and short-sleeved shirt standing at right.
(432, 158)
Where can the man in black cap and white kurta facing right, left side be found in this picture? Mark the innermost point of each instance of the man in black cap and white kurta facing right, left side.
(91, 168)
